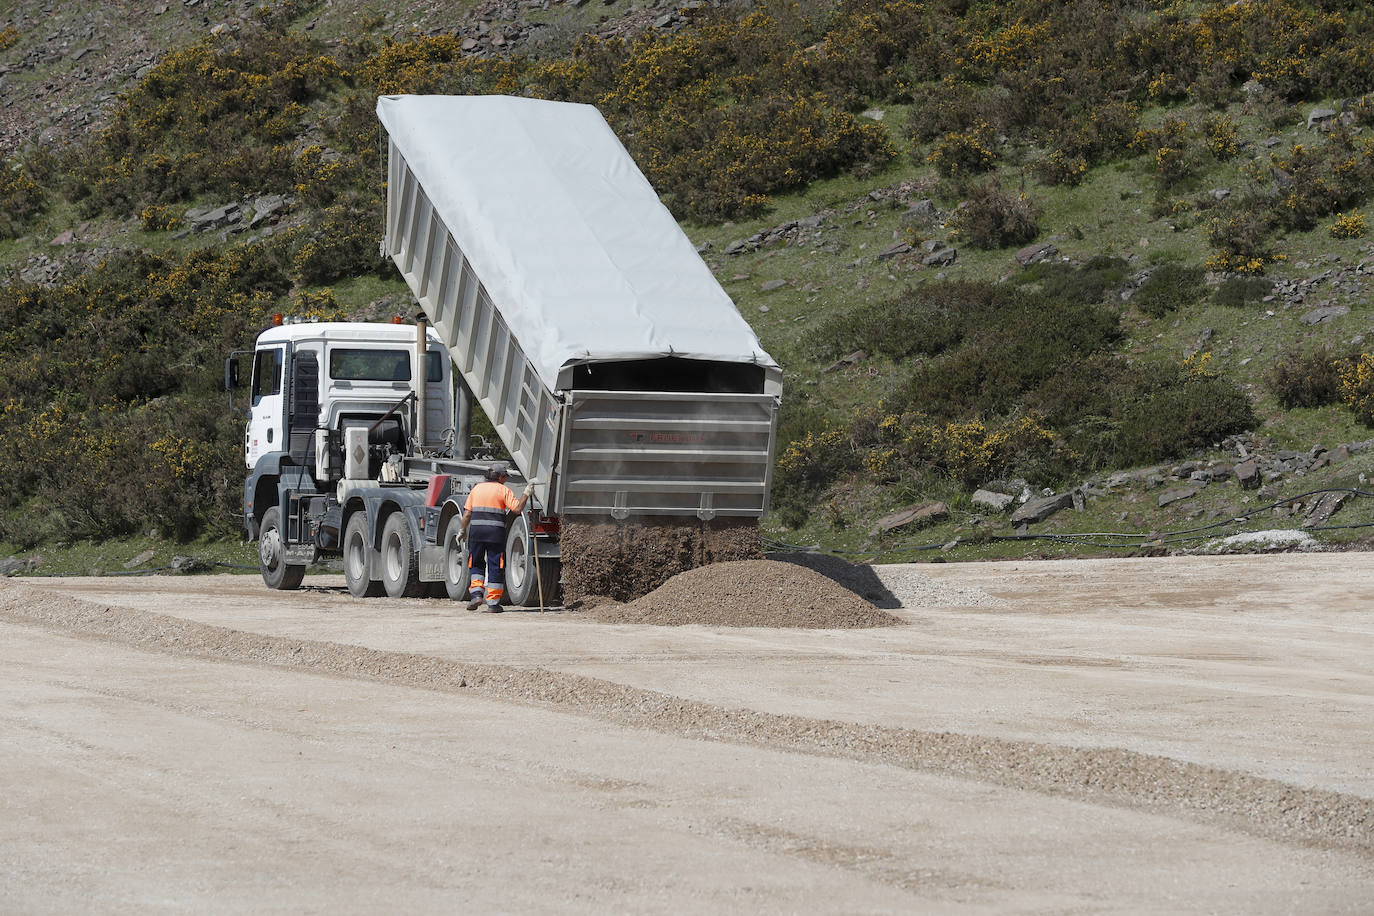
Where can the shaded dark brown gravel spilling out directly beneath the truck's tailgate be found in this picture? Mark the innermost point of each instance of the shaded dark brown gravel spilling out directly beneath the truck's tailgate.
(624, 561)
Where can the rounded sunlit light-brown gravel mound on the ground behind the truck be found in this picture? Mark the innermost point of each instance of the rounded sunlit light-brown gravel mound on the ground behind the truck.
(750, 594)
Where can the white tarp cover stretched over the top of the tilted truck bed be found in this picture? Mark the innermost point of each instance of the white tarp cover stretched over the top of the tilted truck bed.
(568, 237)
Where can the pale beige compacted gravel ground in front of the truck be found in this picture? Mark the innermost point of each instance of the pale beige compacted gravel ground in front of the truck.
(1147, 735)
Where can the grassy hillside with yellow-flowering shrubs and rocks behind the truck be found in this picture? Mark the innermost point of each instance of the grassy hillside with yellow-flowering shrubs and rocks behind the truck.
(1019, 247)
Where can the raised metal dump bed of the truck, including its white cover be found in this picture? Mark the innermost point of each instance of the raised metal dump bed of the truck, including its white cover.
(616, 370)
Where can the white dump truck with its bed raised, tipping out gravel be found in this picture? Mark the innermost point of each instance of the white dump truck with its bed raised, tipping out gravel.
(556, 293)
